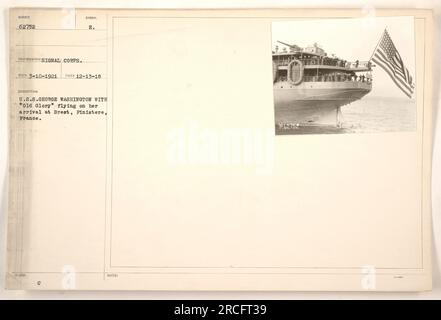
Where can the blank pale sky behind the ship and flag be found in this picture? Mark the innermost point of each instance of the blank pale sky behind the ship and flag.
(353, 39)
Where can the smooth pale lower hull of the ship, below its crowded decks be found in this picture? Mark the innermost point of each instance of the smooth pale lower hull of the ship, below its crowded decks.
(315, 103)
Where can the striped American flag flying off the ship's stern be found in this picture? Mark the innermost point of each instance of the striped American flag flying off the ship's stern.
(386, 56)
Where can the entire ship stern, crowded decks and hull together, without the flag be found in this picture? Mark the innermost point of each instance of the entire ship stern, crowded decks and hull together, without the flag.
(311, 86)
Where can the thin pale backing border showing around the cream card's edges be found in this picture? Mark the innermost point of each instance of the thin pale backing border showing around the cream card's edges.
(367, 6)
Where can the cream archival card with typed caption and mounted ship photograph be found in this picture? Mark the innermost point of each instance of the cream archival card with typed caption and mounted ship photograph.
(143, 152)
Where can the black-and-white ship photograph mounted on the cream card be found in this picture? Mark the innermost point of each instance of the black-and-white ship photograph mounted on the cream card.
(344, 75)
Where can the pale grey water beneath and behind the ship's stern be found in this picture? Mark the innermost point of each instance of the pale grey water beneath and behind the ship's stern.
(368, 115)
